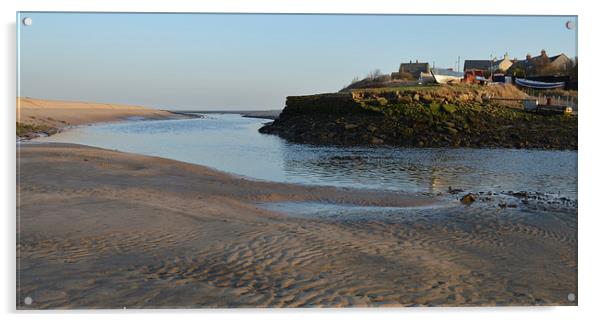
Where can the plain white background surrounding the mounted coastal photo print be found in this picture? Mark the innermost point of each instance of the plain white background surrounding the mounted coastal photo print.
(589, 161)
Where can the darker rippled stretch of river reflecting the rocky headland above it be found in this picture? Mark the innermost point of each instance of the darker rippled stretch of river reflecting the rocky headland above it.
(434, 170)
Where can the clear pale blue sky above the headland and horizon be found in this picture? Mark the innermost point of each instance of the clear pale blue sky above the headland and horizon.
(239, 61)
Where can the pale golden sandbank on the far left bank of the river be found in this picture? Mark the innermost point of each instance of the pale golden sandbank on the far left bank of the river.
(61, 114)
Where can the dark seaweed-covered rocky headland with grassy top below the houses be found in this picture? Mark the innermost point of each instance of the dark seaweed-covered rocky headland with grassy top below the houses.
(437, 116)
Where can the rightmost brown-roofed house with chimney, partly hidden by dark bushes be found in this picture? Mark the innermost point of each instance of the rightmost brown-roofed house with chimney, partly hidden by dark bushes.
(542, 64)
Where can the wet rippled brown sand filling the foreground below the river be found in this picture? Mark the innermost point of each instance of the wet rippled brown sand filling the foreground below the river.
(105, 229)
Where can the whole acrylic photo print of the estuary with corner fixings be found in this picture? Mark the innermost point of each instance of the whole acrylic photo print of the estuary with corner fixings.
(189, 160)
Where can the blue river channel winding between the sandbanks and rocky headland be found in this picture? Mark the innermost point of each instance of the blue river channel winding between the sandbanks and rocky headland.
(231, 143)
